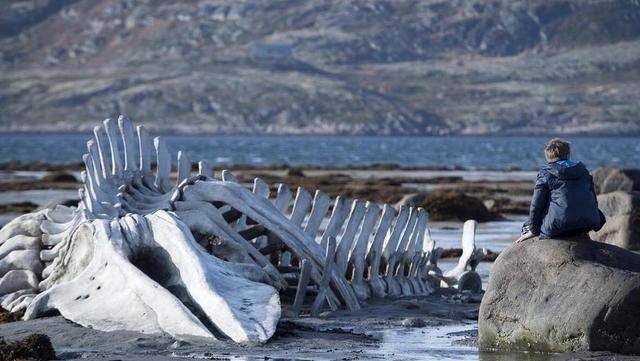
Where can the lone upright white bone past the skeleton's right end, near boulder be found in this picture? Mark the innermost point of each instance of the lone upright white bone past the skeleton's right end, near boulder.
(464, 276)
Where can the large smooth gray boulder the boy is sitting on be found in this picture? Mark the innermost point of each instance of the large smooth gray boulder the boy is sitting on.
(562, 296)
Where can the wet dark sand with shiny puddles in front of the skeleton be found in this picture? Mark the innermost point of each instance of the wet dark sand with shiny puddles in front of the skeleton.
(435, 327)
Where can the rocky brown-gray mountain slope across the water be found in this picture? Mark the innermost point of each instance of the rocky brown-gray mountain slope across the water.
(323, 66)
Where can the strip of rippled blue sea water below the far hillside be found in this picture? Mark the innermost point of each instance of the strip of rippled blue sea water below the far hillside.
(466, 152)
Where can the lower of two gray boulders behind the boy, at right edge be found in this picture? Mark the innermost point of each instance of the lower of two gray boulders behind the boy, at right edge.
(622, 210)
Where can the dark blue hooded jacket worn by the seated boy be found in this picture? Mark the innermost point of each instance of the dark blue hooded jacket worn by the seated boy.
(564, 201)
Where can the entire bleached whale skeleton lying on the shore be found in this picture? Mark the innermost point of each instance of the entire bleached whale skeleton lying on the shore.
(204, 256)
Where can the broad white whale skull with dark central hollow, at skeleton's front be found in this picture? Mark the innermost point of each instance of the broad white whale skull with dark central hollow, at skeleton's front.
(168, 283)
